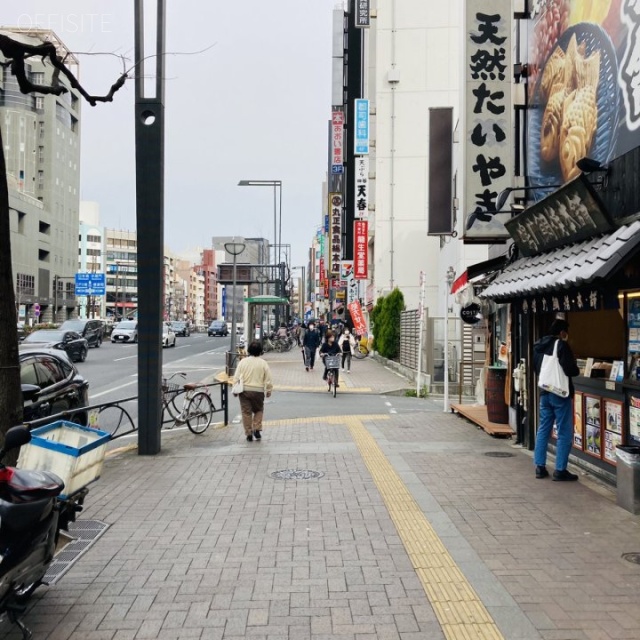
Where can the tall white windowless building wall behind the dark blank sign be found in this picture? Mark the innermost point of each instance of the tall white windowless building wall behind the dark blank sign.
(413, 57)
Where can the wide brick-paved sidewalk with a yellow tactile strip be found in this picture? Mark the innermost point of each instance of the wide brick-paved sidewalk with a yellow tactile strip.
(403, 526)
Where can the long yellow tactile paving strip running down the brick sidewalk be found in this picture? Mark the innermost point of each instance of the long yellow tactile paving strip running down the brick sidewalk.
(458, 608)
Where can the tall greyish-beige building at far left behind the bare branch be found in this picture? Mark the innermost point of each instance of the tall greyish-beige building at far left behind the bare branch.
(41, 136)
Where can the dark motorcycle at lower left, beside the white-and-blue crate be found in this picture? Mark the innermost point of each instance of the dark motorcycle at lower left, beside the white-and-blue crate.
(32, 523)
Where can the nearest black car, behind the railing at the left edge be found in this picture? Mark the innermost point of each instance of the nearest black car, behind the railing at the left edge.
(51, 384)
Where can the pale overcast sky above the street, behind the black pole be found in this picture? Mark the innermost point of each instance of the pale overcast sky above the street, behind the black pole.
(253, 106)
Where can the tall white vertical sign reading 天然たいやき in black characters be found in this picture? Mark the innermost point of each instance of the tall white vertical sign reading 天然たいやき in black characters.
(488, 142)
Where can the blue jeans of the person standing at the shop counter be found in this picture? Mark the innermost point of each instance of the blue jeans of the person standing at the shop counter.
(561, 409)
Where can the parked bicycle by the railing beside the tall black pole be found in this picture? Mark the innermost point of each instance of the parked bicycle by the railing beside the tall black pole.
(197, 407)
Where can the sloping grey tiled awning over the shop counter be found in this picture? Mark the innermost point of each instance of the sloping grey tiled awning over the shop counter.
(573, 266)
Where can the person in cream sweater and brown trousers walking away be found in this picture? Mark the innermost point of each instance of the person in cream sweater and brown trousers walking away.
(256, 379)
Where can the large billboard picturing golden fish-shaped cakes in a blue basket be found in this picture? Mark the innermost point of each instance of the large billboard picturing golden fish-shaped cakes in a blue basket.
(583, 65)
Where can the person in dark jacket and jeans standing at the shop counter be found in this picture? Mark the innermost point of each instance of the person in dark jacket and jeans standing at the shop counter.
(554, 408)
